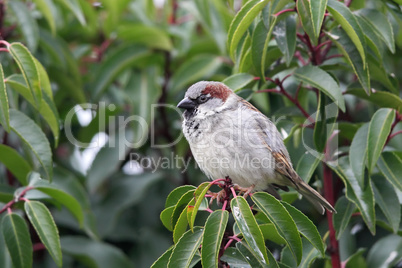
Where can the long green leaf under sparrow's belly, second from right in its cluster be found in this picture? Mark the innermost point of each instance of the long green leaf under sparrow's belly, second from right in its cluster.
(282, 220)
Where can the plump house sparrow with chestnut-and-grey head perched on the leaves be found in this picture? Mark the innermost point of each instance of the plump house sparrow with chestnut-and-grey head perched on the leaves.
(230, 137)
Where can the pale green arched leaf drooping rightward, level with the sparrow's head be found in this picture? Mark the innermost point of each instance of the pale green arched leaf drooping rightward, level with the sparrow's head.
(320, 79)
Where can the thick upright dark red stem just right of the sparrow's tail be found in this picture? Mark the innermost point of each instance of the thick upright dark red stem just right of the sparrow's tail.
(330, 196)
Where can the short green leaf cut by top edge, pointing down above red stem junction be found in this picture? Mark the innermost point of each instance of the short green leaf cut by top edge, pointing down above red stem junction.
(304, 11)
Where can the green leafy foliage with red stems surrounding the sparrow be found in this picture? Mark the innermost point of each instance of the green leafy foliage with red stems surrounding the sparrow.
(78, 193)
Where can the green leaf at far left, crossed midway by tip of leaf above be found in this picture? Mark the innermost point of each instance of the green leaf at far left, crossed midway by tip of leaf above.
(47, 107)
